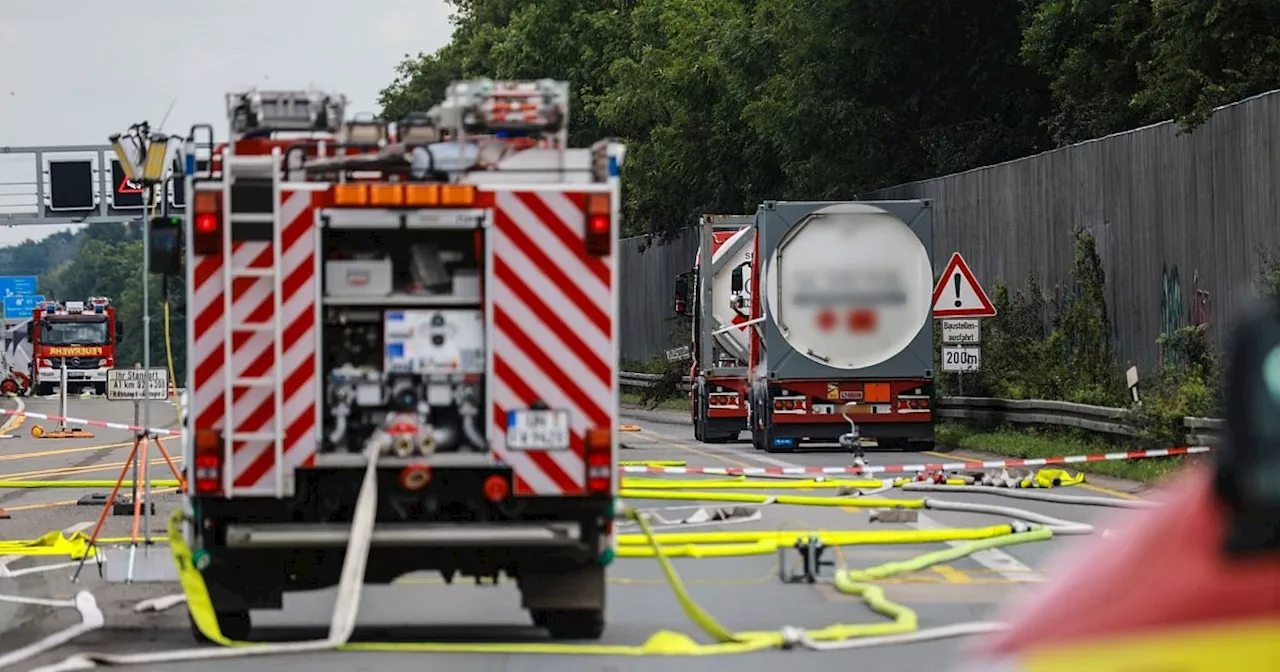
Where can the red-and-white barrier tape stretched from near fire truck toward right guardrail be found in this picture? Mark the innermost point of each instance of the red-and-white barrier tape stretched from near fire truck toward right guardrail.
(917, 469)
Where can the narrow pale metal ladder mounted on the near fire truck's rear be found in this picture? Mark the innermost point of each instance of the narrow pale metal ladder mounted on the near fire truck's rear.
(253, 167)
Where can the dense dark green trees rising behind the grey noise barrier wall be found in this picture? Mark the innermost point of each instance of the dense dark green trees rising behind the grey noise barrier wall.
(728, 103)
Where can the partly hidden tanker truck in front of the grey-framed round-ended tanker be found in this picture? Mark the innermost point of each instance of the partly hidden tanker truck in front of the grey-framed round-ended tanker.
(719, 348)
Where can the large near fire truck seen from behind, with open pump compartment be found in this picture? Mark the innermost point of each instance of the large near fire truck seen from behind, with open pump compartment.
(438, 296)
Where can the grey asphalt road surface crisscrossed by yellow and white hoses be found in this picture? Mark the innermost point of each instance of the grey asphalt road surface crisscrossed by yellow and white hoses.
(744, 593)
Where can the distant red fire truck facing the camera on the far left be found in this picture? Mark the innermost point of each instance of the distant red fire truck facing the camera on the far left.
(77, 335)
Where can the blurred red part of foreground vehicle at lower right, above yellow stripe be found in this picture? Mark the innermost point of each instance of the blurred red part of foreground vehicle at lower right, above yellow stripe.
(1162, 569)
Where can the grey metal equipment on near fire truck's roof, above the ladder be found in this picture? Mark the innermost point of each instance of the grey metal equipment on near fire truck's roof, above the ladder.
(266, 112)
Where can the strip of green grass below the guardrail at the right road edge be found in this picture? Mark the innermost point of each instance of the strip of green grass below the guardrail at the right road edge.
(1035, 442)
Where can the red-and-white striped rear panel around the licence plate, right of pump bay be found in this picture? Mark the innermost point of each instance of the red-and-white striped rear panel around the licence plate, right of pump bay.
(551, 310)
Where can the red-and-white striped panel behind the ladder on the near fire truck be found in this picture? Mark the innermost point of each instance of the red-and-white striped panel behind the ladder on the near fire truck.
(254, 467)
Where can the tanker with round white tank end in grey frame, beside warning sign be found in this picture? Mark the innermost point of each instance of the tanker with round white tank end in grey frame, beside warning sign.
(839, 301)
